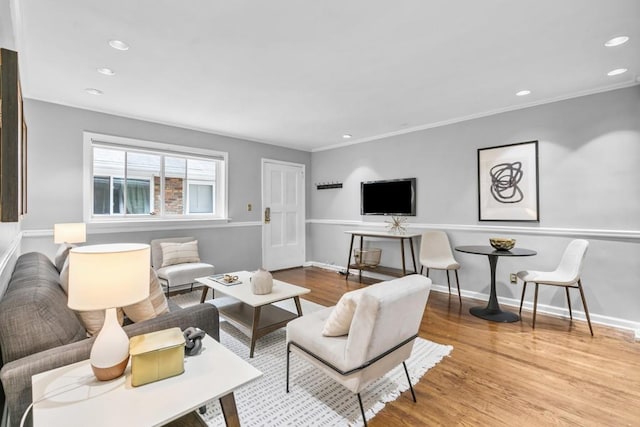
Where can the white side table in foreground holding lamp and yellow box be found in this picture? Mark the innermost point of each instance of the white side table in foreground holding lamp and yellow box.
(72, 396)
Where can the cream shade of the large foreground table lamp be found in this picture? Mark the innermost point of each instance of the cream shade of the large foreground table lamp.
(108, 276)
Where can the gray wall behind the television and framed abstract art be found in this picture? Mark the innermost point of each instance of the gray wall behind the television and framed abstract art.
(589, 150)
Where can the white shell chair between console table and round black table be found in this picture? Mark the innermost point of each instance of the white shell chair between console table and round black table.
(436, 254)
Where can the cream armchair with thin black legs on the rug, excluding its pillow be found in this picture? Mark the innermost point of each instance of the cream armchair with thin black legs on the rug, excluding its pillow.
(381, 335)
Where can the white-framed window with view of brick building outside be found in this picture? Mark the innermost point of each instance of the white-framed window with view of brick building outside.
(143, 180)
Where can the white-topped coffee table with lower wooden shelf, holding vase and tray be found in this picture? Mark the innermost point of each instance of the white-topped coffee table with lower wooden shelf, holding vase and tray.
(254, 315)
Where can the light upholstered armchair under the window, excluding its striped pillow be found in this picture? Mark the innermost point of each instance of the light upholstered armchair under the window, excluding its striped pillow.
(177, 274)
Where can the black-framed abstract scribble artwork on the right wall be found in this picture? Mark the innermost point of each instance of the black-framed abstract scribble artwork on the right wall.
(508, 183)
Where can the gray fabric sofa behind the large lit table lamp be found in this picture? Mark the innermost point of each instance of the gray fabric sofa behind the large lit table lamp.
(38, 332)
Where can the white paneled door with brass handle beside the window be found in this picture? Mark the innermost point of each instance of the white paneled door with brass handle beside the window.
(283, 215)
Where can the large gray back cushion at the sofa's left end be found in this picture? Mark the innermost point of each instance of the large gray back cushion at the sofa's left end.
(34, 299)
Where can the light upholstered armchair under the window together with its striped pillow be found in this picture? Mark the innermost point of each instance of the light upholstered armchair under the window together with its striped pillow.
(177, 261)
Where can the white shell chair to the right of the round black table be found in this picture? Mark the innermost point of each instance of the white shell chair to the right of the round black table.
(567, 274)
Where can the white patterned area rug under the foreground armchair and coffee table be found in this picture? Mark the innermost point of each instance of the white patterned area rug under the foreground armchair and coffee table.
(314, 399)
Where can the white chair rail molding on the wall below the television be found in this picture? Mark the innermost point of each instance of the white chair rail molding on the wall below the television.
(620, 235)
